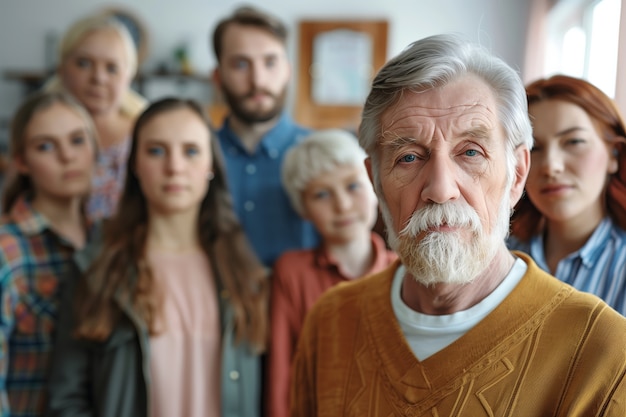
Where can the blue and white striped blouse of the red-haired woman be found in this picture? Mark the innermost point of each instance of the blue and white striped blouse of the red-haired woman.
(599, 267)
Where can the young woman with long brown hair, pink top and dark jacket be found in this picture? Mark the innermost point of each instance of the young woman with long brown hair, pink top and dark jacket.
(171, 317)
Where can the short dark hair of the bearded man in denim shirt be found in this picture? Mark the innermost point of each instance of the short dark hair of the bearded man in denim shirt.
(248, 16)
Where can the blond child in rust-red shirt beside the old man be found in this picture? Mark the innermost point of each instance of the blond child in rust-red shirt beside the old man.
(327, 183)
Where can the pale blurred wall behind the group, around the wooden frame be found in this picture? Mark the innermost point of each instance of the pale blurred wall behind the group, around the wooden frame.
(498, 24)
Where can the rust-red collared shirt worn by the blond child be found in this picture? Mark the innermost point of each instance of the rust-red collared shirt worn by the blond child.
(300, 278)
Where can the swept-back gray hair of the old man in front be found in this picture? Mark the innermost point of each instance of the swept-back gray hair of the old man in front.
(434, 62)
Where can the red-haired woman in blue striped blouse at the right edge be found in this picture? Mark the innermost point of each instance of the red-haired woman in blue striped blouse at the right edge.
(572, 220)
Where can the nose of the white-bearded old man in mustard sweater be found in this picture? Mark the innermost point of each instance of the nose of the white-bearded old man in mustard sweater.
(440, 184)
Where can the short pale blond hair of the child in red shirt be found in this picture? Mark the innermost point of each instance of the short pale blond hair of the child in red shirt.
(319, 153)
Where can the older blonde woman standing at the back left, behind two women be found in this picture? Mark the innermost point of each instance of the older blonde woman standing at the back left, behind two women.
(97, 63)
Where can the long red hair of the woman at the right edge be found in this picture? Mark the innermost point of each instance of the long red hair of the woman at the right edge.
(527, 220)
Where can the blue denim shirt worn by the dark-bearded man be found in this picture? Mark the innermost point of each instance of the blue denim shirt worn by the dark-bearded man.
(263, 208)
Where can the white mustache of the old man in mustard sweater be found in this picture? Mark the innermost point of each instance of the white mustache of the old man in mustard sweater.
(455, 214)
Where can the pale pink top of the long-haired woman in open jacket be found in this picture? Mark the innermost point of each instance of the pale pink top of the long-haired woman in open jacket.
(185, 357)
